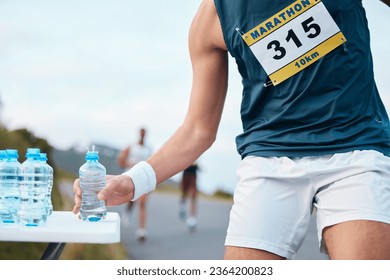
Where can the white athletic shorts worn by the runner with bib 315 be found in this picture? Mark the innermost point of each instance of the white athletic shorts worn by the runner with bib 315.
(275, 196)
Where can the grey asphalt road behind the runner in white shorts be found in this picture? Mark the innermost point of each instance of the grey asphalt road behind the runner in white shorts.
(169, 239)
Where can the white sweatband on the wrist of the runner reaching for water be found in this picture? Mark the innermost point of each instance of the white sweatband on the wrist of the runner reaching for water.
(143, 177)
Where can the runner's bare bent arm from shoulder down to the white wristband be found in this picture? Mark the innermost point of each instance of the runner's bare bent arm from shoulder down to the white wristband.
(210, 70)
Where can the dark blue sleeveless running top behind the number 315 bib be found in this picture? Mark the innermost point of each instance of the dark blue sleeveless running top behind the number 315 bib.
(329, 107)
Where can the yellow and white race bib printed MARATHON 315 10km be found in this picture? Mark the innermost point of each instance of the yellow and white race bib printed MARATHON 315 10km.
(294, 38)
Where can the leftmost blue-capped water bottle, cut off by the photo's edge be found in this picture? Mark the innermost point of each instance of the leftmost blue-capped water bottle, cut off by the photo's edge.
(9, 187)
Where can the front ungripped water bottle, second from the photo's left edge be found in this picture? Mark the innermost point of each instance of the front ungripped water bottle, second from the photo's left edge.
(32, 210)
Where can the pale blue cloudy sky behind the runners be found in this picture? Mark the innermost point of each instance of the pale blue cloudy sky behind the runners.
(80, 72)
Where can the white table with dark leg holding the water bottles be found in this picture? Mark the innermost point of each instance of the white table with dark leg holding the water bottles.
(64, 227)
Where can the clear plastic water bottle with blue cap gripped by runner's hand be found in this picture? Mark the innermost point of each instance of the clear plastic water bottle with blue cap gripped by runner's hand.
(92, 179)
